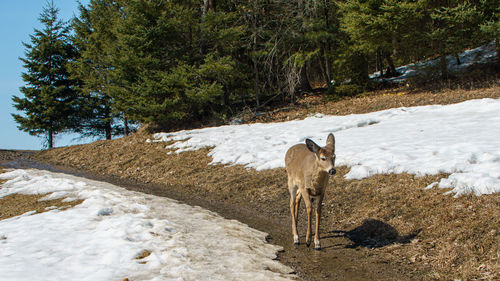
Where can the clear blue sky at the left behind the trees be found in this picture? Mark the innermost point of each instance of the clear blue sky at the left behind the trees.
(18, 19)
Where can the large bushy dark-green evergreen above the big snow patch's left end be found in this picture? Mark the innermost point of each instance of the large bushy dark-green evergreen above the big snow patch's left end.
(174, 64)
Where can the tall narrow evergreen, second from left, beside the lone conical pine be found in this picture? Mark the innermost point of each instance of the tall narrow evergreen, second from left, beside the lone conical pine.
(95, 41)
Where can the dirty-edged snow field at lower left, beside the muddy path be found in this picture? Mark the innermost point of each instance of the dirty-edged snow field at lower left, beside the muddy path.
(101, 238)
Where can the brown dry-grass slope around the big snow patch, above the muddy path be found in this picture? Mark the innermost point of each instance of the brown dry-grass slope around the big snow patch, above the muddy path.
(452, 237)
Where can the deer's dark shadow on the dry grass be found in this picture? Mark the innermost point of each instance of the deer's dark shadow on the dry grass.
(373, 233)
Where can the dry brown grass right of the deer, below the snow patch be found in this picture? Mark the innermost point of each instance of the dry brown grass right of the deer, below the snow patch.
(456, 237)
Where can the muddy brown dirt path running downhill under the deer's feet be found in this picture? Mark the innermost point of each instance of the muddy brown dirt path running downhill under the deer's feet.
(338, 260)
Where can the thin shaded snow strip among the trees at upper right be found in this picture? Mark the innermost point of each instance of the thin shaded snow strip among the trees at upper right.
(479, 55)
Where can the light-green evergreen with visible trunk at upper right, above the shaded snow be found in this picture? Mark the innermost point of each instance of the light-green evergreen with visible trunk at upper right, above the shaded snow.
(381, 29)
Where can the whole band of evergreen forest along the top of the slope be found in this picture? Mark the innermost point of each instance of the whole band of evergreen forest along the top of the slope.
(176, 64)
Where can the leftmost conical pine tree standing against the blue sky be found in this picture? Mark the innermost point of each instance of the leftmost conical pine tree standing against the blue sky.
(50, 101)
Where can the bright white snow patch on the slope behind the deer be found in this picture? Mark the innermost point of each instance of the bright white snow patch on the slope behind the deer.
(462, 140)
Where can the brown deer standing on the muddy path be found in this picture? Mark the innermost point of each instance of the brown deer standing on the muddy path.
(309, 168)
